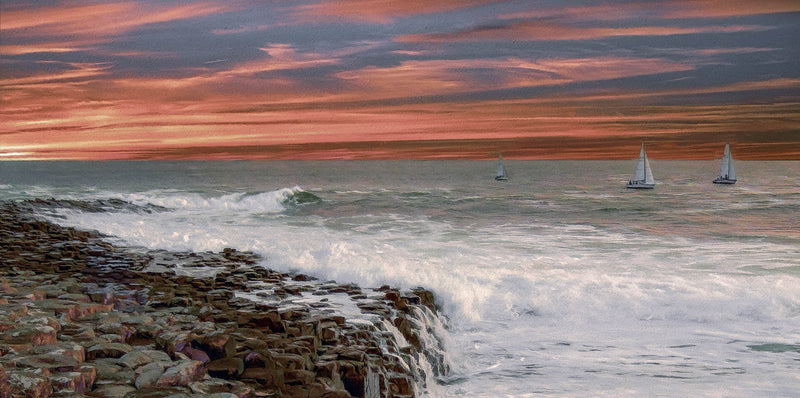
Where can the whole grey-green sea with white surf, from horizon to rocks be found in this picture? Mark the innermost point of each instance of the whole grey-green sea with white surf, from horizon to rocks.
(559, 282)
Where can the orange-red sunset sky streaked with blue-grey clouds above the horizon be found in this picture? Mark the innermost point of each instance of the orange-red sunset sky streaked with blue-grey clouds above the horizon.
(399, 79)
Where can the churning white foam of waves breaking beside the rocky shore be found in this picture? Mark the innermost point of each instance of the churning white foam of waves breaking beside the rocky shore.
(576, 304)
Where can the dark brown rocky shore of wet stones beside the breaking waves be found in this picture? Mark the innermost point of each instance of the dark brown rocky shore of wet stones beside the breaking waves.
(80, 317)
